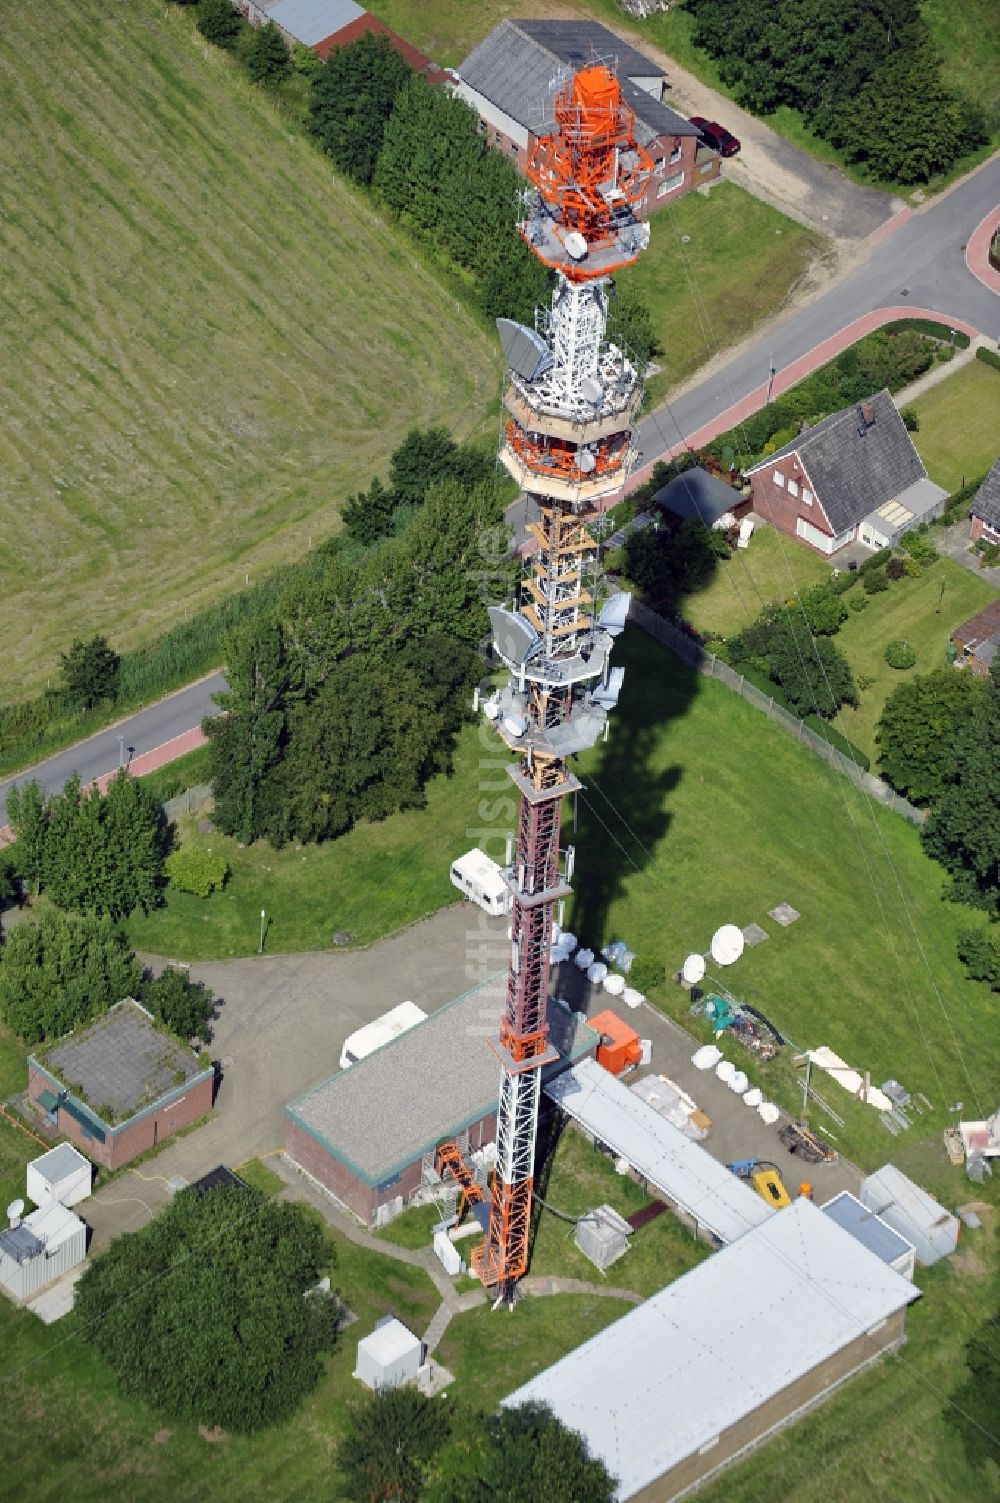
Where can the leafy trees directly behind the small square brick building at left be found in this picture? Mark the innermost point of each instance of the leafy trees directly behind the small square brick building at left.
(65, 970)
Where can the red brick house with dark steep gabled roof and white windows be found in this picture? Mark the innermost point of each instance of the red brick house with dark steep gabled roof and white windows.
(853, 477)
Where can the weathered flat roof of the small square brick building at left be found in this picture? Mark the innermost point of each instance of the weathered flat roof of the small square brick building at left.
(121, 1063)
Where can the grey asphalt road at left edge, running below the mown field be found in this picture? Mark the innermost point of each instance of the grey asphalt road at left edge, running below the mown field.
(144, 733)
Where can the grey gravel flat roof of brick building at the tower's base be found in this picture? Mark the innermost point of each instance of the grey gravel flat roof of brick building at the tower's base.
(423, 1087)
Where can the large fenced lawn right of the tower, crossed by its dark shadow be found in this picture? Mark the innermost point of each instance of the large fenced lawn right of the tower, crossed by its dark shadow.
(702, 812)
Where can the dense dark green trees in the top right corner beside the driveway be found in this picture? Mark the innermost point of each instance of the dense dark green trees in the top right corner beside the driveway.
(862, 73)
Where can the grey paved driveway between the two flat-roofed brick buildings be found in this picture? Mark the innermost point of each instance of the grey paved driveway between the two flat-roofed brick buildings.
(280, 1030)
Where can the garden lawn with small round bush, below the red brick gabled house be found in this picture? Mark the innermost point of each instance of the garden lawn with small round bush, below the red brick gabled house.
(920, 611)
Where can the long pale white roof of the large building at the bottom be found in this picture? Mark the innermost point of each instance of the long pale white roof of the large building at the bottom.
(676, 1373)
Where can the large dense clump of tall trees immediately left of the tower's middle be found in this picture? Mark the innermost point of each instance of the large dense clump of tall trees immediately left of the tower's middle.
(347, 697)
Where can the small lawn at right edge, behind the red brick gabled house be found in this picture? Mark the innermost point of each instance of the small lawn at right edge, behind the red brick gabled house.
(960, 426)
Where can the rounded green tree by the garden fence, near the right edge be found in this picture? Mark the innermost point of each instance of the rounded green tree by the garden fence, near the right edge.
(923, 730)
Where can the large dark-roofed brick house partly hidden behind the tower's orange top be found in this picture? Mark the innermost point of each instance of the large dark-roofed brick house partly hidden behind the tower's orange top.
(512, 77)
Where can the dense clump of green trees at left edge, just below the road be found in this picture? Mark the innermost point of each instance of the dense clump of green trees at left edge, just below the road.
(91, 853)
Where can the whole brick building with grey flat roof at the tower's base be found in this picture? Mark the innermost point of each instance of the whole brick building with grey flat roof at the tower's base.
(366, 1133)
